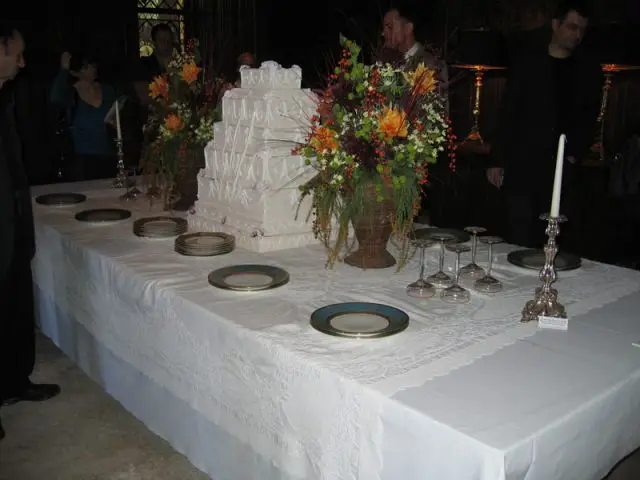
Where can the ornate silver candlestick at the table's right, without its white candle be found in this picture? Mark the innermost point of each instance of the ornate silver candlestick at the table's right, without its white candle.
(545, 302)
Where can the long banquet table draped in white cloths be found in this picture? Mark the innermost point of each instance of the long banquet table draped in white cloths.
(244, 387)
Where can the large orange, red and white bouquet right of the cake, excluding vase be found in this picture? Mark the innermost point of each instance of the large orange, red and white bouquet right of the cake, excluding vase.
(378, 126)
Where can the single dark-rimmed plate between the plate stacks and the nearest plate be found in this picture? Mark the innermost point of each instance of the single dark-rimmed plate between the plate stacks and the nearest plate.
(248, 278)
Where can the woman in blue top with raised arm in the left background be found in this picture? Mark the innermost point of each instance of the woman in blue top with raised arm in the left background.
(85, 103)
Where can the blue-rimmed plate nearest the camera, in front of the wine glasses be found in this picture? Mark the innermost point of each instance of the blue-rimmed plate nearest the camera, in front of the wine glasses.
(359, 320)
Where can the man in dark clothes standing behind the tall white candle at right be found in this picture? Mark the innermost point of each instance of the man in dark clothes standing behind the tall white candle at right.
(549, 93)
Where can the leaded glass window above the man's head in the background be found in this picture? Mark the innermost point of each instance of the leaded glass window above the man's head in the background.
(153, 12)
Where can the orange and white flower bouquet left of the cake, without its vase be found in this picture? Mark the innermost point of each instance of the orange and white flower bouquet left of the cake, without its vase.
(183, 110)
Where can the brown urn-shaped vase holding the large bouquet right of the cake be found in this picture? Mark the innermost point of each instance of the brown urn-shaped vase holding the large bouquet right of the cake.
(373, 227)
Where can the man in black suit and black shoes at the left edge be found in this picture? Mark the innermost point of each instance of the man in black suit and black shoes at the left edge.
(17, 244)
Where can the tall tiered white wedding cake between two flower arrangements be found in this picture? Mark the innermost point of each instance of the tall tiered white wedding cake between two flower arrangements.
(249, 186)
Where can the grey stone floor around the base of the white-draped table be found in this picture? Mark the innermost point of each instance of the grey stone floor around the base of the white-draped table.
(86, 435)
